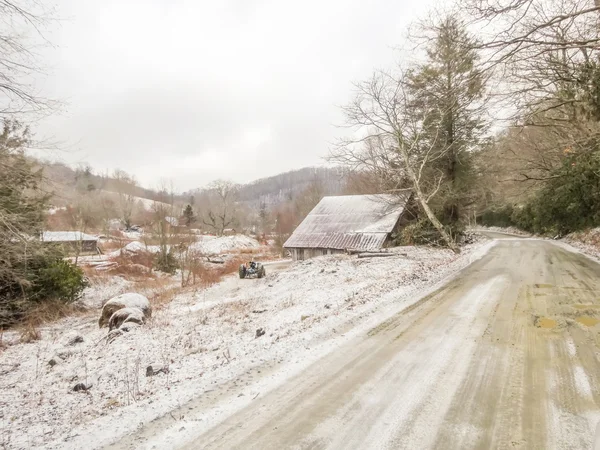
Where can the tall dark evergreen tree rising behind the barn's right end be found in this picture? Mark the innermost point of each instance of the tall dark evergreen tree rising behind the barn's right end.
(448, 92)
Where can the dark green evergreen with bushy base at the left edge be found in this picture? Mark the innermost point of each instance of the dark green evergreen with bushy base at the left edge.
(30, 270)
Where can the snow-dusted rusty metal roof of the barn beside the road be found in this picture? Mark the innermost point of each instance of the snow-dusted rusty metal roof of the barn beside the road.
(351, 221)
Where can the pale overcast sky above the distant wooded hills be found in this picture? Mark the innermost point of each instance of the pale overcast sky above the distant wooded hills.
(194, 90)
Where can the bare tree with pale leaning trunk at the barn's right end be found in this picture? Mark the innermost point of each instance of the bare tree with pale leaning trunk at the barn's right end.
(393, 141)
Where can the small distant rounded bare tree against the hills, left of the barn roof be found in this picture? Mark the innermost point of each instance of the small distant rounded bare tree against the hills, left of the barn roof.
(221, 213)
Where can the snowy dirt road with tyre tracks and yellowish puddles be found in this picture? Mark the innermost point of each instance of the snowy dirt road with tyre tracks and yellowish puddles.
(504, 356)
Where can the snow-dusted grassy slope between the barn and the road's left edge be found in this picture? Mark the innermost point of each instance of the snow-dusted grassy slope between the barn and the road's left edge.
(205, 338)
